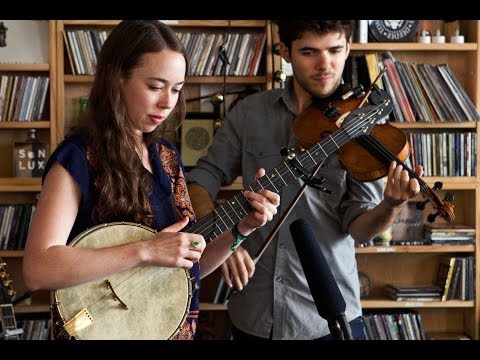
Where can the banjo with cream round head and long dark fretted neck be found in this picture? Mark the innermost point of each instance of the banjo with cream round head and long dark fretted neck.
(152, 302)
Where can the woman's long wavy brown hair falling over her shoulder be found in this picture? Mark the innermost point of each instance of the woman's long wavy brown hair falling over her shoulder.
(121, 182)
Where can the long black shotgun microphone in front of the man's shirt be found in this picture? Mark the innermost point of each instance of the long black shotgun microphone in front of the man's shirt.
(325, 292)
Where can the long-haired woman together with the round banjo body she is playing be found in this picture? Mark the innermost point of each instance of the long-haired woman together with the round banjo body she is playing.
(120, 170)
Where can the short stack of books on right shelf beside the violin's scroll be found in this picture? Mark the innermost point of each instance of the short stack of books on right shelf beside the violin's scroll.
(449, 234)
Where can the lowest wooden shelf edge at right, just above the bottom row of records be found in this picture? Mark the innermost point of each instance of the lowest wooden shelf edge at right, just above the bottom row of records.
(391, 304)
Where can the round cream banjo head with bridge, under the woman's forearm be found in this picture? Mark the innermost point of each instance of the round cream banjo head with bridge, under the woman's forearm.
(140, 303)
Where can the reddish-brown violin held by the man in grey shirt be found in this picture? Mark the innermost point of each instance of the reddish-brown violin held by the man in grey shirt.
(366, 157)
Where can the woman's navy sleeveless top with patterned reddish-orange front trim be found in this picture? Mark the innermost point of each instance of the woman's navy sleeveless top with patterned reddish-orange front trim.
(169, 200)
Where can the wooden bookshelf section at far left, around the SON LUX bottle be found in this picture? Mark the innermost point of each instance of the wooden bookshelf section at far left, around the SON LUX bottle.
(33, 46)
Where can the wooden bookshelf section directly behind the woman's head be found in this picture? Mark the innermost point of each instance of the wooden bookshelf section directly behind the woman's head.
(71, 87)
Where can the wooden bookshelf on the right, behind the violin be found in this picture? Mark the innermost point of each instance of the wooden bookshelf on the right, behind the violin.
(409, 265)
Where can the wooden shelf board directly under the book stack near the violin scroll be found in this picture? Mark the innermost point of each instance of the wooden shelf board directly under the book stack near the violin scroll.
(416, 249)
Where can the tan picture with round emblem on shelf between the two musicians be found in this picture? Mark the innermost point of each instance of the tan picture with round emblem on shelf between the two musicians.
(196, 137)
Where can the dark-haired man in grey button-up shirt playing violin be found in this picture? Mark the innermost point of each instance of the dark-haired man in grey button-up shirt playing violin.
(277, 303)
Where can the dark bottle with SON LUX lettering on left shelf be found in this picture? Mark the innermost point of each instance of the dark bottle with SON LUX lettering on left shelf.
(29, 156)
